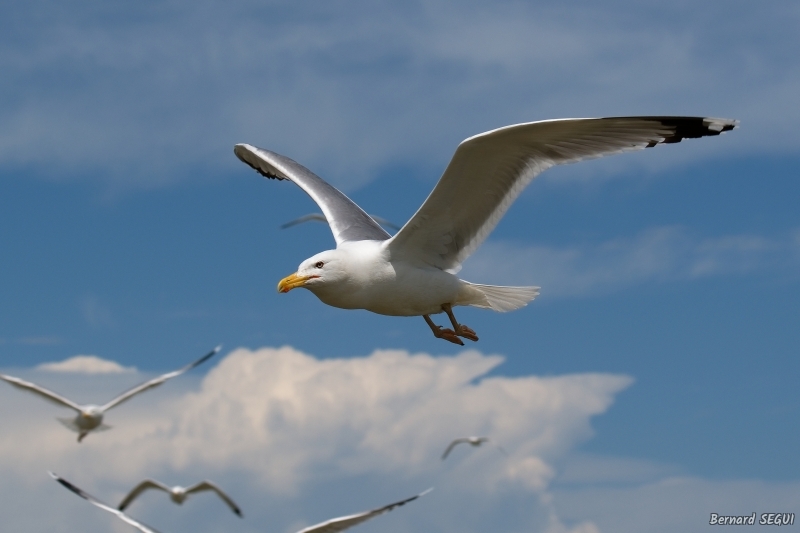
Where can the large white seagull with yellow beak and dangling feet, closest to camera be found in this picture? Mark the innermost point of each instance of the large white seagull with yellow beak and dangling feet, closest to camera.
(413, 272)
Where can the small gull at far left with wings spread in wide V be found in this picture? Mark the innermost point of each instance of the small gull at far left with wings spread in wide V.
(90, 416)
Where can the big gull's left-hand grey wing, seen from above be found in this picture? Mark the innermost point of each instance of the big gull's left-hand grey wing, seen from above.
(348, 221)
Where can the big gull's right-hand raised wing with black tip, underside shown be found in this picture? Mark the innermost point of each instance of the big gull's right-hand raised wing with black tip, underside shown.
(488, 172)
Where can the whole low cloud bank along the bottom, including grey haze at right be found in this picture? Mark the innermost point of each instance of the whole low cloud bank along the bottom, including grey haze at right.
(296, 440)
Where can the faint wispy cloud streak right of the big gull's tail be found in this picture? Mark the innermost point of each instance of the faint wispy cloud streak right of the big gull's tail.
(658, 254)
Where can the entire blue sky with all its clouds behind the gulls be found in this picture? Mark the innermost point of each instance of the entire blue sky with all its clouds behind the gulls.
(651, 384)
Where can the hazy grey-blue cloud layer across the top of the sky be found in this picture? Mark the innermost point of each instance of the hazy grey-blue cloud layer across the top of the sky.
(147, 94)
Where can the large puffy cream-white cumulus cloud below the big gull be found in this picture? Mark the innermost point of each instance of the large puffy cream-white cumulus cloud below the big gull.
(285, 427)
